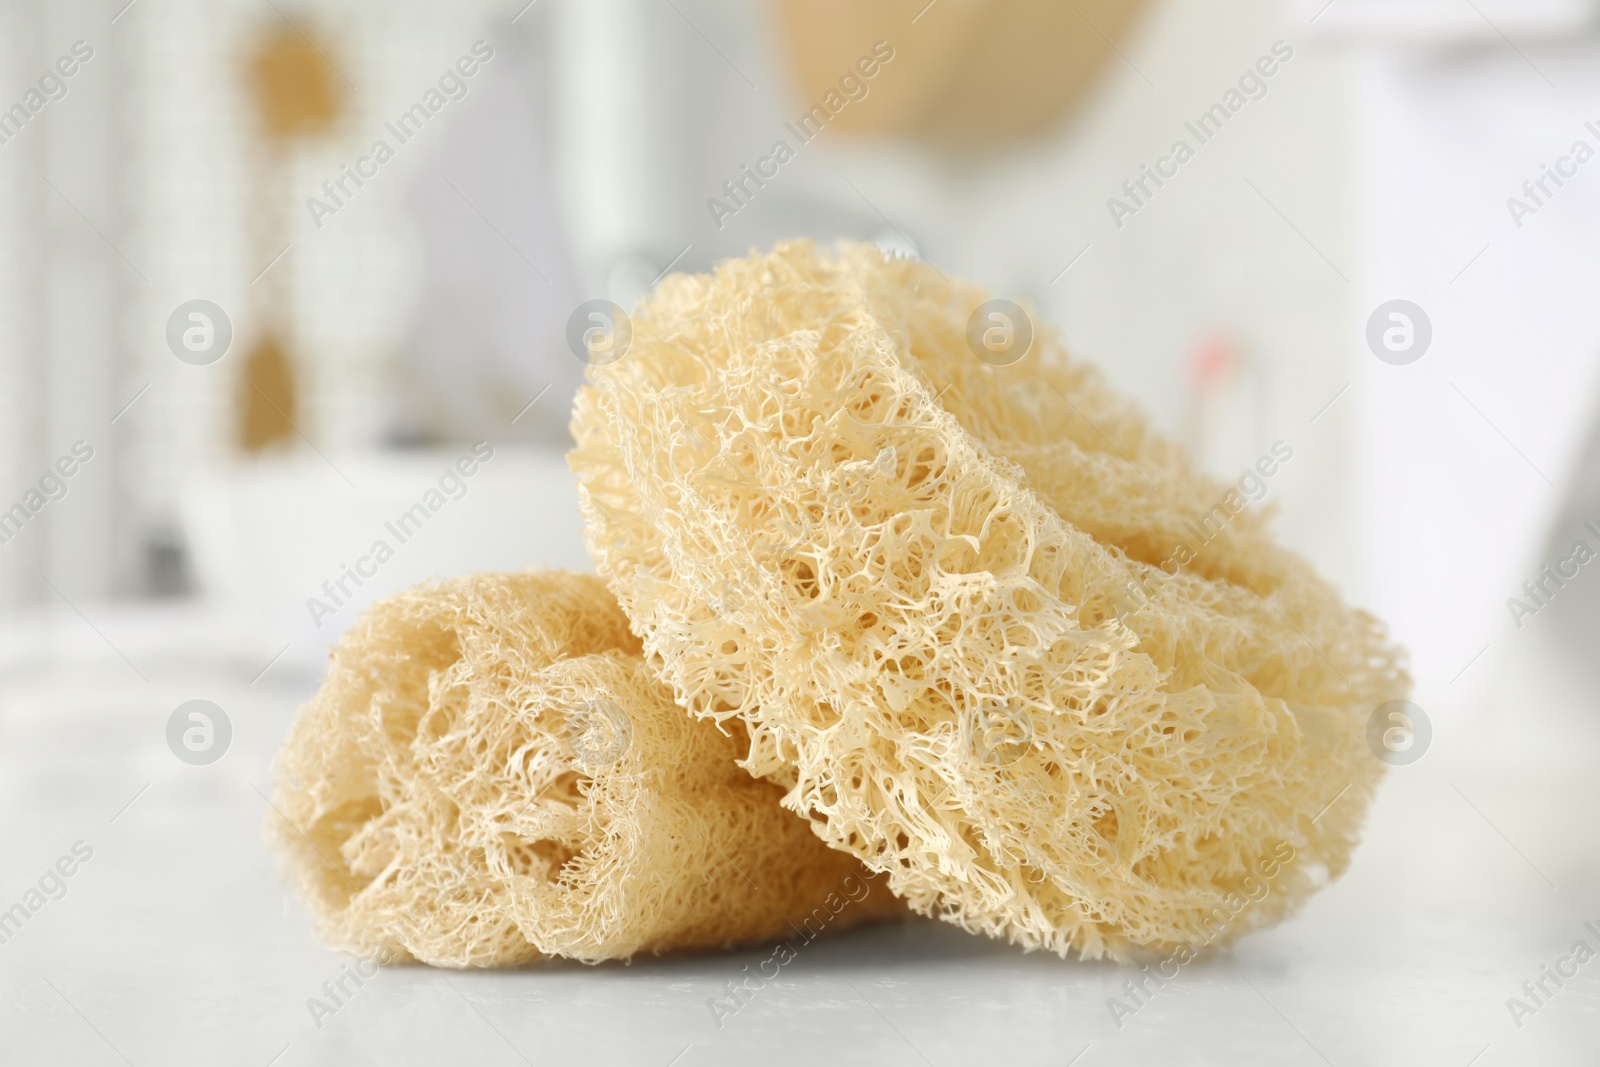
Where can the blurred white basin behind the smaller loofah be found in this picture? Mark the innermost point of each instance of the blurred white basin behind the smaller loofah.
(271, 538)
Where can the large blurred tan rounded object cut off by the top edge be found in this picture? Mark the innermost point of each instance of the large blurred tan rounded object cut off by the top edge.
(967, 74)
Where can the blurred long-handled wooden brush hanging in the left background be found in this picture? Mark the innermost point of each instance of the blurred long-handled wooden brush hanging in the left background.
(295, 94)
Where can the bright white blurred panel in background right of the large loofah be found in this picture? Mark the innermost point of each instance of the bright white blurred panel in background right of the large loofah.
(1468, 455)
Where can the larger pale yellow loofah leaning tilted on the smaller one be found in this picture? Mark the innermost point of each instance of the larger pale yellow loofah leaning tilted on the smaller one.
(934, 593)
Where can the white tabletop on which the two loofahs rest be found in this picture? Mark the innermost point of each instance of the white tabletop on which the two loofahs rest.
(178, 945)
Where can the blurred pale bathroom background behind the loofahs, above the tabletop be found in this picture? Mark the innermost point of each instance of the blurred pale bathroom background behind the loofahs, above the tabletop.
(391, 308)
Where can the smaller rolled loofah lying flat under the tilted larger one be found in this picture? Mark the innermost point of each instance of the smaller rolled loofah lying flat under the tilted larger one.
(490, 775)
